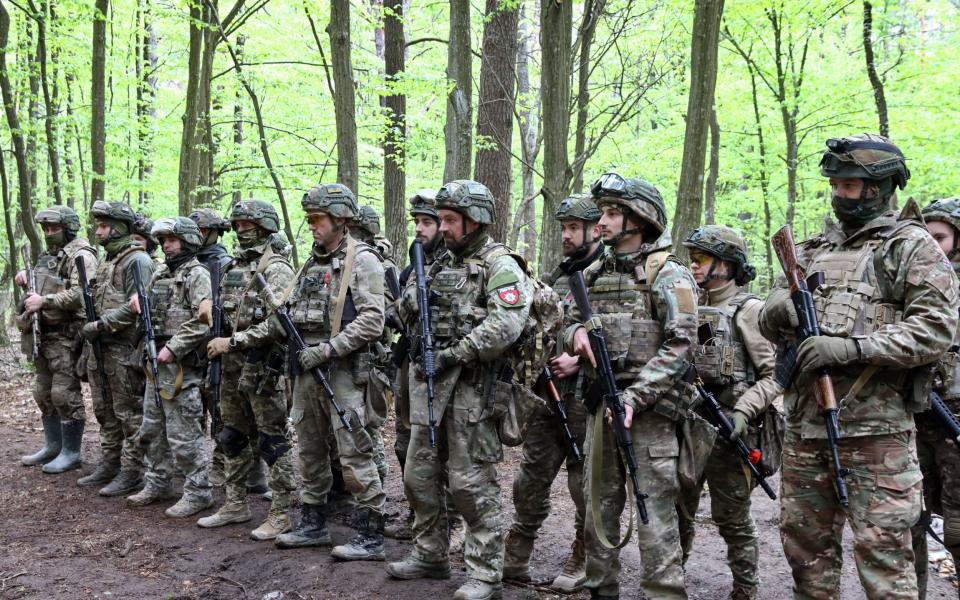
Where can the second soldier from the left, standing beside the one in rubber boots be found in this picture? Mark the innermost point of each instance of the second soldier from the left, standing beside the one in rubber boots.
(123, 361)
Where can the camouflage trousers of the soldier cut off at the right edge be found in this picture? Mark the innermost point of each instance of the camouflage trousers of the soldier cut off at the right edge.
(940, 465)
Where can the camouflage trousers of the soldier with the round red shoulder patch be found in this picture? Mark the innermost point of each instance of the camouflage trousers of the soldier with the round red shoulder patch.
(467, 452)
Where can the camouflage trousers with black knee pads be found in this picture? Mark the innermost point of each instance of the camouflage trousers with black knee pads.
(255, 420)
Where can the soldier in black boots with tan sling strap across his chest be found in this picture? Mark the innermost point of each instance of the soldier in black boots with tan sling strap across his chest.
(337, 305)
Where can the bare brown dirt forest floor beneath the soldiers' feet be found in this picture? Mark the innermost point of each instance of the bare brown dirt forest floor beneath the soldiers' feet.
(63, 542)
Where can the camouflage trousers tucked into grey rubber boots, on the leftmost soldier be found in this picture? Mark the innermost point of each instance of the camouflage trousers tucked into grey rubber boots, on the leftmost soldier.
(56, 388)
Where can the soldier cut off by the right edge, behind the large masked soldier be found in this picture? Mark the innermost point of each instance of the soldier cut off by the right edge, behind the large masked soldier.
(939, 460)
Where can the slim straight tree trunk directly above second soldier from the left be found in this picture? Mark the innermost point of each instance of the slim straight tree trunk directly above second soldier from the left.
(98, 107)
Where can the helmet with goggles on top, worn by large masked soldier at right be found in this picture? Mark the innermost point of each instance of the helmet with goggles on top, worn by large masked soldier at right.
(865, 156)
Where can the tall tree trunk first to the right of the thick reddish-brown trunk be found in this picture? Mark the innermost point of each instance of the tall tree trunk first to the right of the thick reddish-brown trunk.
(556, 24)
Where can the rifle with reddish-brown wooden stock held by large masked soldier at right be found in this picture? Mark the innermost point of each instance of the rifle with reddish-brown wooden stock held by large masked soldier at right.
(807, 315)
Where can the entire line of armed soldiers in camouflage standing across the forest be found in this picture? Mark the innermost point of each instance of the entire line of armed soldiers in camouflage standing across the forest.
(308, 353)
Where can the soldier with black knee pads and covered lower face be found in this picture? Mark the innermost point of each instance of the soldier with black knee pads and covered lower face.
(252, 399)
